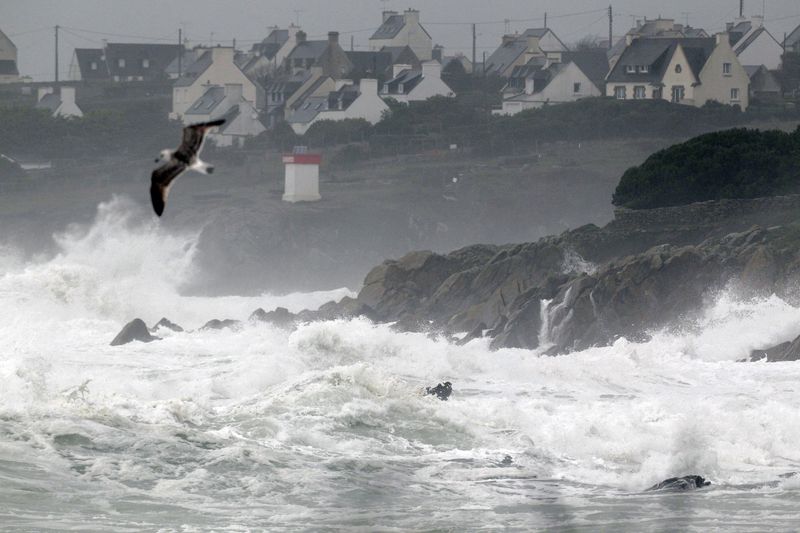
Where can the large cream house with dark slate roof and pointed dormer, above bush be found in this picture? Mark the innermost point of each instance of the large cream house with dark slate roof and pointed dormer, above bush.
(686, 71)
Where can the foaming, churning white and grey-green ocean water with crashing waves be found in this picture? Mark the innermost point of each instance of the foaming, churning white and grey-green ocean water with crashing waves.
(326, 427)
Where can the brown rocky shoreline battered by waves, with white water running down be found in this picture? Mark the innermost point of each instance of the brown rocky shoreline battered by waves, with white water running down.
(588, 286)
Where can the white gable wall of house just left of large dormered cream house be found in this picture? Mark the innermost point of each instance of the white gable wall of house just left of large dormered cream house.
(569, 85)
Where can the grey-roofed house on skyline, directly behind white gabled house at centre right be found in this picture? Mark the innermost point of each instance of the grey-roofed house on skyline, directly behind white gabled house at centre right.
(518, 49)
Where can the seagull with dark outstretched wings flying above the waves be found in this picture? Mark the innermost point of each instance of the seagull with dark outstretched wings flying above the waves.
(176, 162)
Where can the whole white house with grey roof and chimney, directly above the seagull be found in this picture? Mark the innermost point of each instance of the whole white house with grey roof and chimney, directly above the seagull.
(213, 67)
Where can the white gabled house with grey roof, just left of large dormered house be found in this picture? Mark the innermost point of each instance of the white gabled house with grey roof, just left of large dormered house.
(576, 75)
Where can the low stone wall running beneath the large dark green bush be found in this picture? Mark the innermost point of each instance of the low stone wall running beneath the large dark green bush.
(768, 210)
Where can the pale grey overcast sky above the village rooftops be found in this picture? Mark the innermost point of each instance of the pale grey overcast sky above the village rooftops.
(86, 23)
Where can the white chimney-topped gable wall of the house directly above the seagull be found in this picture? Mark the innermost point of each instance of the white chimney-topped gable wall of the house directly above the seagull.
(222, 71)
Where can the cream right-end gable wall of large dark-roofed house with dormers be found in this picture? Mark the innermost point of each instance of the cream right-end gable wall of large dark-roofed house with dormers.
(716, 85)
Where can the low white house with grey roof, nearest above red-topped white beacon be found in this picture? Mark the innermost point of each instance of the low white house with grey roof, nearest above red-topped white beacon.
(346, 101)
